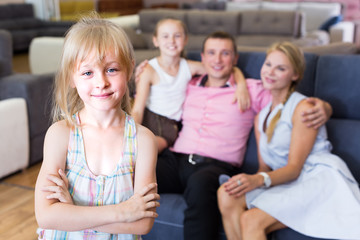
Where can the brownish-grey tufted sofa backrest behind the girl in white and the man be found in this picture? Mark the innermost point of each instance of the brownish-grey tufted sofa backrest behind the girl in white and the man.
(274, 25)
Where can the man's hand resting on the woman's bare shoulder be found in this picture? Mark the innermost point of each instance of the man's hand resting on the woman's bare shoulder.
(318, 115)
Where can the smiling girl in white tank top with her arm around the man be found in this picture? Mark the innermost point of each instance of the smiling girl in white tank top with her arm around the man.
(161, 89)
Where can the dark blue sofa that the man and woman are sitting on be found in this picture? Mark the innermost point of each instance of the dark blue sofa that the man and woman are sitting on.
(335, 79)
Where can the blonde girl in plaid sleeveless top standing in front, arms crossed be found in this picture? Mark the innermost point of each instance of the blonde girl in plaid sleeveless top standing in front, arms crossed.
(87, 187)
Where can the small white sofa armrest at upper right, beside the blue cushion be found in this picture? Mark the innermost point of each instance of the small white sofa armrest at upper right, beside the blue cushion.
(342, 32)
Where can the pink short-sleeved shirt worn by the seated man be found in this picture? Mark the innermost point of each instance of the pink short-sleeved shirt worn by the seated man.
(213, 126)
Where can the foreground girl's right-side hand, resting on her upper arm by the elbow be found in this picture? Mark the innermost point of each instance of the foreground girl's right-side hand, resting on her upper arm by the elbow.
(140, 205)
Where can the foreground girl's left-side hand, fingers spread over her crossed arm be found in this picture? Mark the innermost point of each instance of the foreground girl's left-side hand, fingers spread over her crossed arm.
(59, 192)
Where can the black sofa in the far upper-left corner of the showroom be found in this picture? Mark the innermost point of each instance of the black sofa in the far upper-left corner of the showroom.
(20, 21)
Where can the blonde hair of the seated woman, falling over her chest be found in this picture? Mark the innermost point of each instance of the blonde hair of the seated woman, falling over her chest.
(297, 61)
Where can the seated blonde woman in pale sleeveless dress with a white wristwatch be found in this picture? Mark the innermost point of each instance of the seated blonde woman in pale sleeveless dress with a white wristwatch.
(300, 184)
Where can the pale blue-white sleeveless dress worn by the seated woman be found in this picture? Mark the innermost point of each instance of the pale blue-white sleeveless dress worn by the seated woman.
(324, 201)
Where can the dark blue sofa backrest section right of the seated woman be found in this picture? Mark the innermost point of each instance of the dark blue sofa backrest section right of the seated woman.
(338, 82)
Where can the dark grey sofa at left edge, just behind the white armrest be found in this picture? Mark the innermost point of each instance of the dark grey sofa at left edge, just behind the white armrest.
(35, 89)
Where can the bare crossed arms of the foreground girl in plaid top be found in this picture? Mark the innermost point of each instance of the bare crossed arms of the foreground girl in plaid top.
(118, 218)
